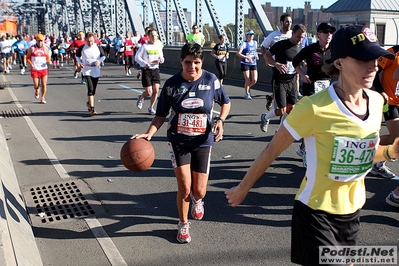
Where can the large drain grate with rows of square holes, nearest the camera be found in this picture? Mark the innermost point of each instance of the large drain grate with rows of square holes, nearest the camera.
(60, 201)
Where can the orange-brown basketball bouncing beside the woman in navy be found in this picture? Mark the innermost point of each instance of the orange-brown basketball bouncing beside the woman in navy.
(137, 155)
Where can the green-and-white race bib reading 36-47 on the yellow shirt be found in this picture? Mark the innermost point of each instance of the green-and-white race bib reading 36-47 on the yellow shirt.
(352, 158)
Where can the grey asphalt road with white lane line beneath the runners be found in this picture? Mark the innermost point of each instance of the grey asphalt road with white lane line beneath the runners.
(61, 153)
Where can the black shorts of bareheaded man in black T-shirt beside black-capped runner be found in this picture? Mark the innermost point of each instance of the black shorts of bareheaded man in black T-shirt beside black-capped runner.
(285, 92)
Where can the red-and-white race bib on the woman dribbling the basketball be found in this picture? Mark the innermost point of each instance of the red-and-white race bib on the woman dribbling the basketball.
(192, 124)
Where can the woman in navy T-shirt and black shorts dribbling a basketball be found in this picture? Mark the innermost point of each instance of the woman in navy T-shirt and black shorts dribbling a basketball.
(189, 98)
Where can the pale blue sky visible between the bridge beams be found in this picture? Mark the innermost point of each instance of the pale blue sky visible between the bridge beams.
(228, 7)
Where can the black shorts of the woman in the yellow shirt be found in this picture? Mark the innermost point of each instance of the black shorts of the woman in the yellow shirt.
(314, 228)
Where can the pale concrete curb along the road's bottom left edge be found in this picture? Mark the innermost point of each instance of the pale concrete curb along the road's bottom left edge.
(17, 242)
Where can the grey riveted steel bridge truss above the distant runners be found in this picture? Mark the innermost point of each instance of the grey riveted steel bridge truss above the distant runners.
(170, 18)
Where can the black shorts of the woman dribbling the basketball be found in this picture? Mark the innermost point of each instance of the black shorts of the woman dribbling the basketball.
(199, 158)
